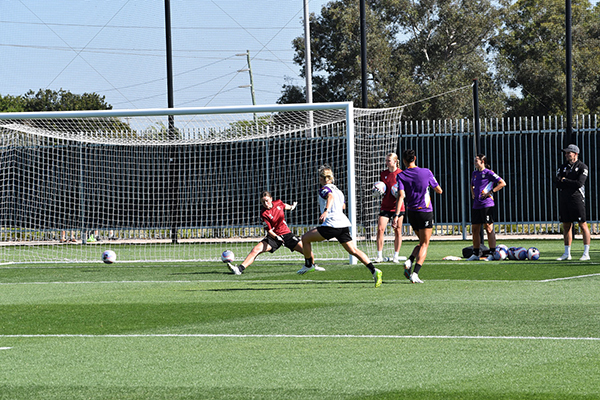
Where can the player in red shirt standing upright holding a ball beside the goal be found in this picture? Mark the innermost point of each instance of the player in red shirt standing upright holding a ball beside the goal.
(388, 209)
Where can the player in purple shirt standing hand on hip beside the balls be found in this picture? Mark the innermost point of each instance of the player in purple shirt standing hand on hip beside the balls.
(484, 182)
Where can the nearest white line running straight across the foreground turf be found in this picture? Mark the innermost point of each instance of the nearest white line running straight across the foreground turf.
(241, 336)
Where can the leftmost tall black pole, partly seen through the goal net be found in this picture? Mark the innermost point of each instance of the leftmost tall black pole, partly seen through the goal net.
(173, 171)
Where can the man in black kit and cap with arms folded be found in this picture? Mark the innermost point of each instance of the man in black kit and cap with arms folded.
(570, 180)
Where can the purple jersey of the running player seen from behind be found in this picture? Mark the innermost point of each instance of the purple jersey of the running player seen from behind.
(416, 182)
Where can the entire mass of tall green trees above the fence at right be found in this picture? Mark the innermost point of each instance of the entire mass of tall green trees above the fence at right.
(418, 50)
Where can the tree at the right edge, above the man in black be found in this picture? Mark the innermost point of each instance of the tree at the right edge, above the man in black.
(531, 57)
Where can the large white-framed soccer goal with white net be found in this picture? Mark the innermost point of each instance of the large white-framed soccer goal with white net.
(181, 184)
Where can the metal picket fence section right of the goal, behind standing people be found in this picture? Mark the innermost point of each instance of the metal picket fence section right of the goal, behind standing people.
(525, 152)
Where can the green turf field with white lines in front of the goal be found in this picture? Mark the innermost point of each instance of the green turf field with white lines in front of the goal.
(473, 330)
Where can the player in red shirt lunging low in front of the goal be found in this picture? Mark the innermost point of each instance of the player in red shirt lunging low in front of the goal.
(278, 233)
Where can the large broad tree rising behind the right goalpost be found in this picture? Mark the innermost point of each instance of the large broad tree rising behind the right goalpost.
(416, 50)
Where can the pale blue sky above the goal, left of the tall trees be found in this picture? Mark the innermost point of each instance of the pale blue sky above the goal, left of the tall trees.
(117, 49)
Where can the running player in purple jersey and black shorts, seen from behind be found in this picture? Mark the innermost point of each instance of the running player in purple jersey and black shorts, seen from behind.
(413, 192)
